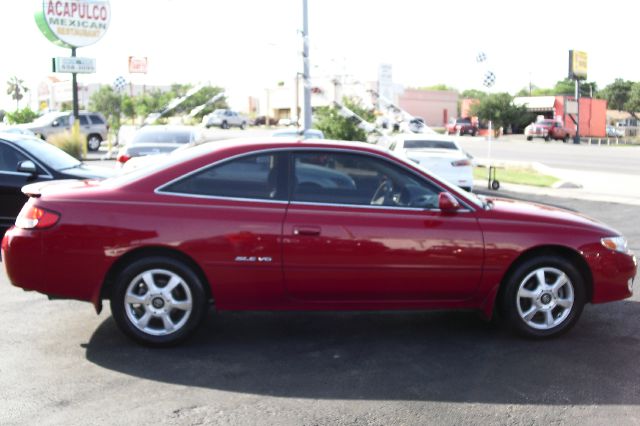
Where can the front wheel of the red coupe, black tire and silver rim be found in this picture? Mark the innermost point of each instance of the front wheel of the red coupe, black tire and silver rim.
(515, 308)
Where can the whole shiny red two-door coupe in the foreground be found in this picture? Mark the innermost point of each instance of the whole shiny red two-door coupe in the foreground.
(286, 225)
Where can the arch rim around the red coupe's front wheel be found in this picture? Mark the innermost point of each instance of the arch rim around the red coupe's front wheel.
(564, 252)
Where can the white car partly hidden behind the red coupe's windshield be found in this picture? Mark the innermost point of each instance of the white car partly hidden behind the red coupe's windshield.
(437, 154)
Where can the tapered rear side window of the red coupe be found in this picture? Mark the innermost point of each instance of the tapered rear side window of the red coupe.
(259, 176)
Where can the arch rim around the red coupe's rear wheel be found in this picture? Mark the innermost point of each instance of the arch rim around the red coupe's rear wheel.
(141, 252)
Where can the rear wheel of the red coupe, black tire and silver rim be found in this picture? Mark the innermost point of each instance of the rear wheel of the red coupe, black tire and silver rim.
(161, 268)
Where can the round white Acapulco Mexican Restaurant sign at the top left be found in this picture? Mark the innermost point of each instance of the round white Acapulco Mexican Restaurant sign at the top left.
(74, 23)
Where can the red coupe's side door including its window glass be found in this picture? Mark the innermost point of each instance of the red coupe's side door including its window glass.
(361, 228)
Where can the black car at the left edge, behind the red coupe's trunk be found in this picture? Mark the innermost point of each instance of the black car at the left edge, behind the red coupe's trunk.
(26, 159)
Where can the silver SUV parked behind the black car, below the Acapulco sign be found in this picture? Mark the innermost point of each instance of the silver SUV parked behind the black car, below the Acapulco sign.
(93, 126)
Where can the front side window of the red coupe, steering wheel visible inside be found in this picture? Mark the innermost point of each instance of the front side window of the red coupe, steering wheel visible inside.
(358, 179)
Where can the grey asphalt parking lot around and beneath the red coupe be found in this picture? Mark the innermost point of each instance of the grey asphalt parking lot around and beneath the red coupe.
(60, 363)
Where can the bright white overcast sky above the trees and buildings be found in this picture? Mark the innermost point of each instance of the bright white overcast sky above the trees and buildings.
(246, 46)
